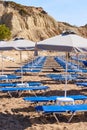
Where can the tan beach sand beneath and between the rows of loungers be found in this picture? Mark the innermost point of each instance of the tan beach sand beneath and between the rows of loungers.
(16, 114)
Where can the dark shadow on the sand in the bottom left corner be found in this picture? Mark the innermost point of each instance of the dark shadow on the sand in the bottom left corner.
(14, 122)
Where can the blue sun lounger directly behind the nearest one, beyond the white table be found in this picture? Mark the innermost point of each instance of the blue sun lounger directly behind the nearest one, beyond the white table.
(52, 98)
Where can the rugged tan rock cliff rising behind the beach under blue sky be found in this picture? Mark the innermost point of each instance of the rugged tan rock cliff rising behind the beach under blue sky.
(33, 23)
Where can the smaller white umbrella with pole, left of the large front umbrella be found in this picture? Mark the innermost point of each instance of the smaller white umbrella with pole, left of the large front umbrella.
(20, 45)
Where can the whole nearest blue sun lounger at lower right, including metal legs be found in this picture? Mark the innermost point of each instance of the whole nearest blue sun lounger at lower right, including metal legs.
(57, 109)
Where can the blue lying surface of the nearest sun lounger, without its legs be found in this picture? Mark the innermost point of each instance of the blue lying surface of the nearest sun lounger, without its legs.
(65, 108)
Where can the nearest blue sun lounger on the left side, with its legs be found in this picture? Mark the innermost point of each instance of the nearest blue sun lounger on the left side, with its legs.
(21, 89)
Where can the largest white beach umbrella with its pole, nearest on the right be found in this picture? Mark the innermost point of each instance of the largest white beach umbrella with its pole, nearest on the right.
(67, 42)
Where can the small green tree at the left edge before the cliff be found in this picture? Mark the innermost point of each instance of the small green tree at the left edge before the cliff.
(5, 32)
